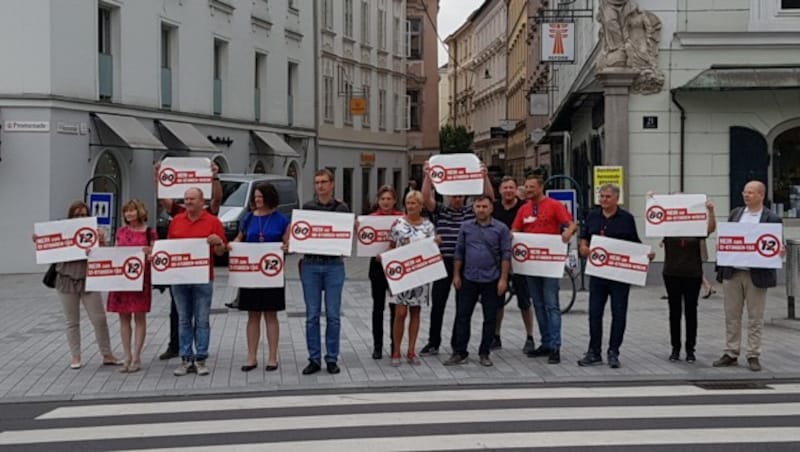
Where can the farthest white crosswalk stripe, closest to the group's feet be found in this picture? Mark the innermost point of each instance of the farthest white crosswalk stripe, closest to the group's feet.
(355, 399)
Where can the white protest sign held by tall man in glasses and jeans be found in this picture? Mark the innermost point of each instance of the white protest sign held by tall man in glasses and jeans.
(321, 232)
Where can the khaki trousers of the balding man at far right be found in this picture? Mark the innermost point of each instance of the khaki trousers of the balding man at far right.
(740, 293)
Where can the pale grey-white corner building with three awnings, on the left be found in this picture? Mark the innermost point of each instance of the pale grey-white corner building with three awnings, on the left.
(109, 87)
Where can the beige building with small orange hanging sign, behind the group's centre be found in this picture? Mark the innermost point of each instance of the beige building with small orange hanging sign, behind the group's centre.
(362, 57)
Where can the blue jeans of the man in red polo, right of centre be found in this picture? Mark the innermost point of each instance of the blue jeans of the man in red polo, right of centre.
(544, 292)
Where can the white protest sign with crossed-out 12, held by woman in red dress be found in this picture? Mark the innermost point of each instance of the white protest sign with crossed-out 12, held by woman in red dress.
(120, 269)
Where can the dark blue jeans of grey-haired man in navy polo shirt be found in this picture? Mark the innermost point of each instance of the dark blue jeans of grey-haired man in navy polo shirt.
(600, 290)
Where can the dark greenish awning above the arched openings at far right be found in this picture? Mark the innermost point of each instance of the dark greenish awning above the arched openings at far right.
(745, 78)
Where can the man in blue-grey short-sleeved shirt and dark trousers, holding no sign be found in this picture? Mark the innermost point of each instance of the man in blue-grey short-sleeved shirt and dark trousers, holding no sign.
(483, 252)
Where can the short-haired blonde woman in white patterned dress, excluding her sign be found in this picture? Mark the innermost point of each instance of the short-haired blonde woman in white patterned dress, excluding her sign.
(410, 228)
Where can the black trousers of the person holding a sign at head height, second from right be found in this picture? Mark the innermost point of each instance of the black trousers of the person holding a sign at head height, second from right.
(682, 294)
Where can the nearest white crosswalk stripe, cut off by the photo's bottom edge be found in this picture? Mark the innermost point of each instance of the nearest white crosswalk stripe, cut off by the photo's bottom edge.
(529, 440)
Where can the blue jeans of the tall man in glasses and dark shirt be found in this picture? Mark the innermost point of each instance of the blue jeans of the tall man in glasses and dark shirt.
(316, 277)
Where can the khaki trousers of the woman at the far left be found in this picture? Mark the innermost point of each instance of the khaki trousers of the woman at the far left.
(93, 304)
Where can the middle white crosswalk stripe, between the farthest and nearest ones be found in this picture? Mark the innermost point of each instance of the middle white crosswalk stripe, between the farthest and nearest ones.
(131, 430)
